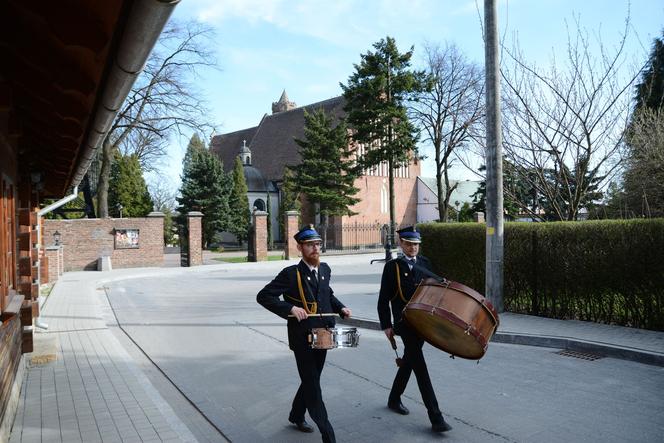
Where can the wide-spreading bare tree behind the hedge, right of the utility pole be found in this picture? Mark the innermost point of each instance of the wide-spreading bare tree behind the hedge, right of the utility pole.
(563, 127)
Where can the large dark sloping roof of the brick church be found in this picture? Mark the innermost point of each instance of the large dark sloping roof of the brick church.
(272, 142)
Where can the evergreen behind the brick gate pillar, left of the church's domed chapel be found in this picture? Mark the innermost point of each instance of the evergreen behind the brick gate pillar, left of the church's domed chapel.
(205, 188)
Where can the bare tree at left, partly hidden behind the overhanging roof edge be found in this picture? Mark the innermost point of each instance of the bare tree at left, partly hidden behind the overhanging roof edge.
(163, 101)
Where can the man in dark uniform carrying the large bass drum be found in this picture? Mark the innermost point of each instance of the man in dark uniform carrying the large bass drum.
(398, 284)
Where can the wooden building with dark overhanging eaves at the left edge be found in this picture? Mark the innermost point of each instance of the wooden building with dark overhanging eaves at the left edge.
(65, 69)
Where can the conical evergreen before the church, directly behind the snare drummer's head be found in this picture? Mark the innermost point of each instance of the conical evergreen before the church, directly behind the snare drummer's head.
(326, 174)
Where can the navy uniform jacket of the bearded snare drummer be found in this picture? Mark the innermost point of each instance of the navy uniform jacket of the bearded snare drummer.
(285, 284)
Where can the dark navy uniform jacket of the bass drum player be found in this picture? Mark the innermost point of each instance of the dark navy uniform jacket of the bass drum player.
(389, 292)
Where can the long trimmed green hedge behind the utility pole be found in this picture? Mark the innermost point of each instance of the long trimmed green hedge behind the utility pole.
(608, 271)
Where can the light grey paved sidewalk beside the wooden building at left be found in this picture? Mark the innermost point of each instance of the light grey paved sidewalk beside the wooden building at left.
(80, 384)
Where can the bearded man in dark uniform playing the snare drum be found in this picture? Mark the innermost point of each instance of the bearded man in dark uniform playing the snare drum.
(305, 288)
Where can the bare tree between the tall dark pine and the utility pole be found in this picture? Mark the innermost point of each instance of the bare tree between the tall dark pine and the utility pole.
(449, 112)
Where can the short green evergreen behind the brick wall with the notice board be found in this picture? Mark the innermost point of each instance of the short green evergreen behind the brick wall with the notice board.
(127, 188)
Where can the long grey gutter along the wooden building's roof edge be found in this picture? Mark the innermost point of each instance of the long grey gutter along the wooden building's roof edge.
(144, 25)
